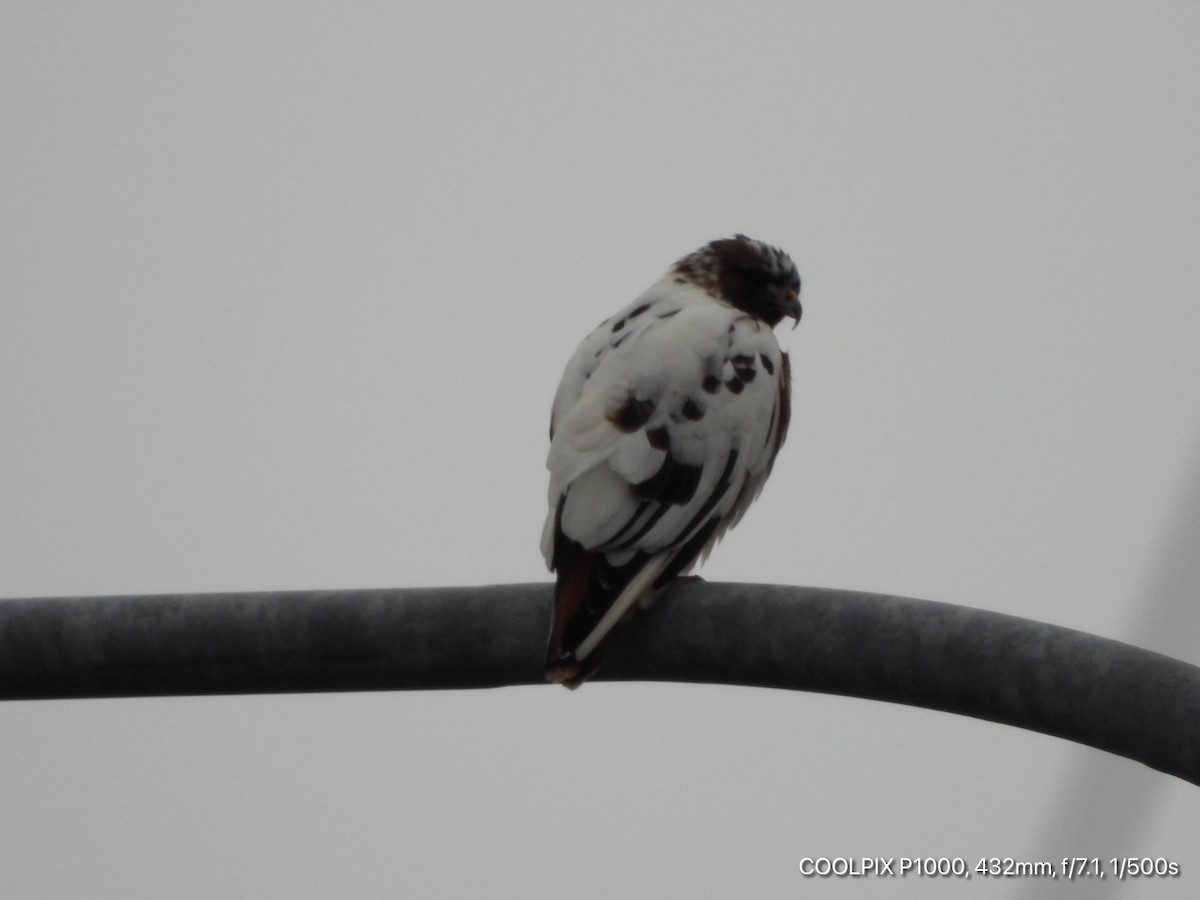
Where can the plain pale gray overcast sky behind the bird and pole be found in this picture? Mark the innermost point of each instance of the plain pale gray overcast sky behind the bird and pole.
(285, 295)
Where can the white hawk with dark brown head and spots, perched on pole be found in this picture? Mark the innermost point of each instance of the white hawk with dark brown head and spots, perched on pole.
(664, 430)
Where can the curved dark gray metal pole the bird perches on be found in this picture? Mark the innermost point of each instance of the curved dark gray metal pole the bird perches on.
(1075, 686)
